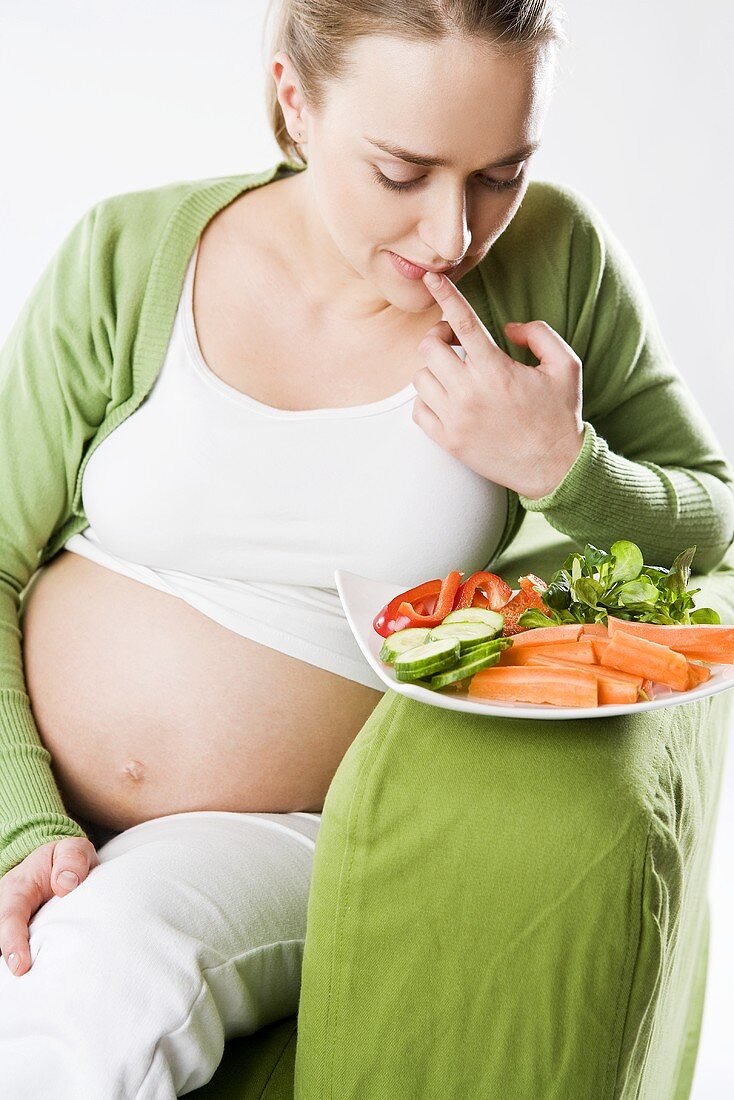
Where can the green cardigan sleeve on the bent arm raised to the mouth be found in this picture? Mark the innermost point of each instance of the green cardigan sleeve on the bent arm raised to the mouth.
(650, 469)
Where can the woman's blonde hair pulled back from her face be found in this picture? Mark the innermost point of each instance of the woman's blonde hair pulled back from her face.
(316, 36)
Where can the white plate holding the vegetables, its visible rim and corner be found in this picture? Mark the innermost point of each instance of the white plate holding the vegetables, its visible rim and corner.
(363, 598)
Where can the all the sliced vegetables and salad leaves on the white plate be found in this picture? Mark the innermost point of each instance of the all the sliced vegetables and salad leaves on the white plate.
(608, 630)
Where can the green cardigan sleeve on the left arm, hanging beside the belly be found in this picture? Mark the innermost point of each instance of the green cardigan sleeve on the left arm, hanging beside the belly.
(54, 376)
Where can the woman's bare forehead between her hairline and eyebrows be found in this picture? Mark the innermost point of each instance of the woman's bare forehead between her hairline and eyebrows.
(457, 100)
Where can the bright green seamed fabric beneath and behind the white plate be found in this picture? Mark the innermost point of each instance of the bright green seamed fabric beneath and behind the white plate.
(506, 908)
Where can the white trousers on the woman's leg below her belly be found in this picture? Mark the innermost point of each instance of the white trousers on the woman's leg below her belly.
(190, 932)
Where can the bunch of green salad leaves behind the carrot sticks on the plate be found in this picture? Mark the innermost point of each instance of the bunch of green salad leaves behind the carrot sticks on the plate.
(596, 584)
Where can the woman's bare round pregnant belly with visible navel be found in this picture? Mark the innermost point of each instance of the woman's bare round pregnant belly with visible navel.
(149, 708)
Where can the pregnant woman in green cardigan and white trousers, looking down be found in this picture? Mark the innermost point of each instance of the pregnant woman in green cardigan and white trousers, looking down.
(220, 392)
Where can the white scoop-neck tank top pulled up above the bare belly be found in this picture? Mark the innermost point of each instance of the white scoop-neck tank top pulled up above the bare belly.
(245, 511)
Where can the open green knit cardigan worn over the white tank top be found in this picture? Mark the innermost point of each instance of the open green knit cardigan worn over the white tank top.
(92, 337)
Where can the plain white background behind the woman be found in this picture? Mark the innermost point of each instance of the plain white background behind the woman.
(101, 98)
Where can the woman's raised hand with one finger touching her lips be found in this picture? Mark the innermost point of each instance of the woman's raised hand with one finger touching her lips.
(518, 426)
